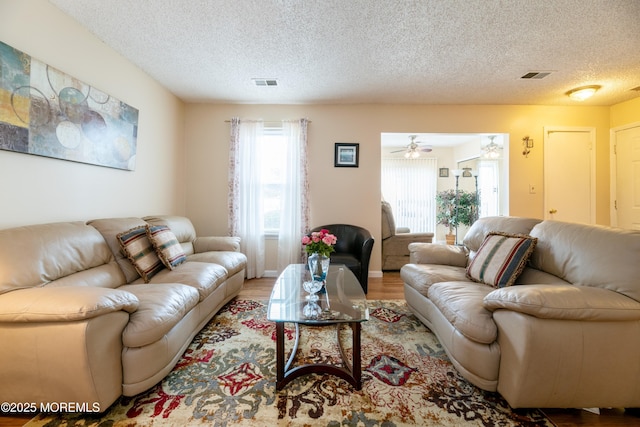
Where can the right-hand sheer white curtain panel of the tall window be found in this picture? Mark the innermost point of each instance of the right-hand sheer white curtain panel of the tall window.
(294, 217)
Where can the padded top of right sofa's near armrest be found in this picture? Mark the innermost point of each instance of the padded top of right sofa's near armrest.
(564, 302)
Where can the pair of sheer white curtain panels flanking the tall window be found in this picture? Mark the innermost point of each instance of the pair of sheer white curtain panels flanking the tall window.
(246, 213)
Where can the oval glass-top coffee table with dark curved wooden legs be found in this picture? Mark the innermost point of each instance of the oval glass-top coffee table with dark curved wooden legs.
(343, 303)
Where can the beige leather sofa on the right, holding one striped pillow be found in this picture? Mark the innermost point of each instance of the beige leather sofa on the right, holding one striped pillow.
(567, 335)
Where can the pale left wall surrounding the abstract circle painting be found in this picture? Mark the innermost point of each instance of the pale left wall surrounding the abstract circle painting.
(37, 189)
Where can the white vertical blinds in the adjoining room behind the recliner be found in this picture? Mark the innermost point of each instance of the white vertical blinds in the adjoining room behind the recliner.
(409, 185)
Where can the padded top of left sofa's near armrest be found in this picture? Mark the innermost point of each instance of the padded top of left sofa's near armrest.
(70, 303)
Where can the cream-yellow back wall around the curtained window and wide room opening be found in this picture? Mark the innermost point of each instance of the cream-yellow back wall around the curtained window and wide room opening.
(352, 195)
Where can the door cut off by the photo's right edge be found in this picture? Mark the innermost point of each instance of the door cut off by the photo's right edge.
(626, 177)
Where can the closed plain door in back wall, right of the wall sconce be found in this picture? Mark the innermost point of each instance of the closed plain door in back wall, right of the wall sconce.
(569, 174)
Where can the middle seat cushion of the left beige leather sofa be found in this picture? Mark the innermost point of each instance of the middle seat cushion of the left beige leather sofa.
(202, 276)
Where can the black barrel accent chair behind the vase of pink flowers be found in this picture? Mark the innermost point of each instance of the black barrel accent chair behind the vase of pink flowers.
(352, 249)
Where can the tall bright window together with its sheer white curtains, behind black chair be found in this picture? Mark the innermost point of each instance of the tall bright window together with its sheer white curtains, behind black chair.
(267, 182)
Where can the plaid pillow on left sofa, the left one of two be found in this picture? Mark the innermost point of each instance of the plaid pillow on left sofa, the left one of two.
(136, 245)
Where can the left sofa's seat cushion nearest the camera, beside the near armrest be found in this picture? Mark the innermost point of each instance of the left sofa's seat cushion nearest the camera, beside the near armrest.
(160, 308)
